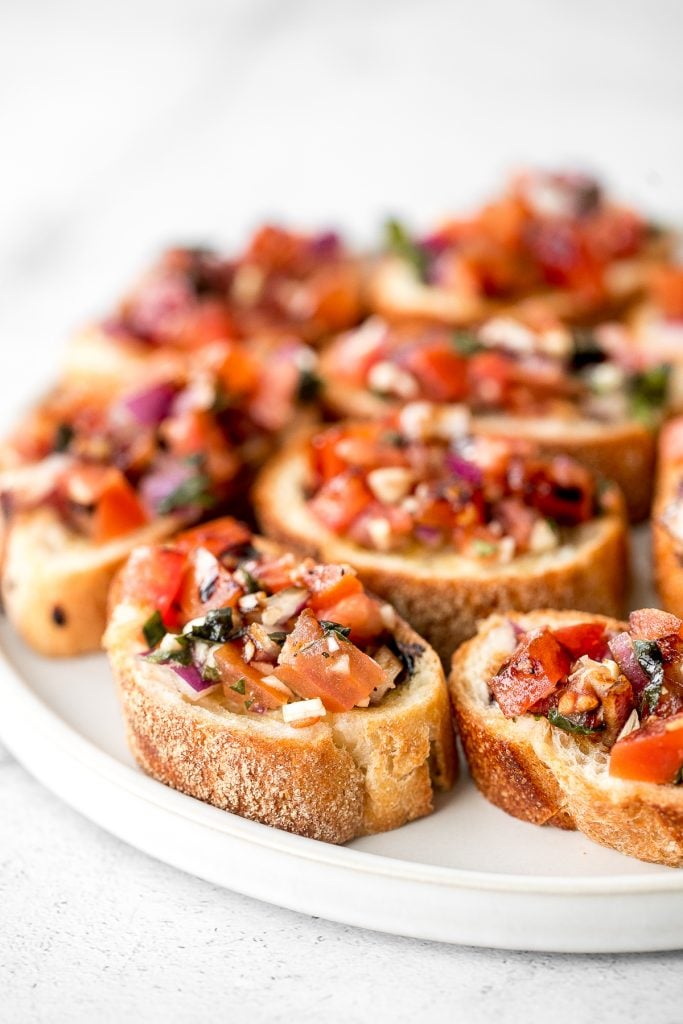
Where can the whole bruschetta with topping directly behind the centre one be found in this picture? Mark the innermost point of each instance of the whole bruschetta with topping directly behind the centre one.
(558, 389)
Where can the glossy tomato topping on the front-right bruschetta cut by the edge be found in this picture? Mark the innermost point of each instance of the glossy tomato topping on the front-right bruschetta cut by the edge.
(624, 691)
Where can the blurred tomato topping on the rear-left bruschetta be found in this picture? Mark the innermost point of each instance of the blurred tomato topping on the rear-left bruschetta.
(283, 282)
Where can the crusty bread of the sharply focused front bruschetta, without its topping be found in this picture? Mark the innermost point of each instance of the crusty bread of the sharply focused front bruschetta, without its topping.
(353, 774)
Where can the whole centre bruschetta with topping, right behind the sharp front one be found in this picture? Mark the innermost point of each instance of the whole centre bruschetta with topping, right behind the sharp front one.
(447, 526)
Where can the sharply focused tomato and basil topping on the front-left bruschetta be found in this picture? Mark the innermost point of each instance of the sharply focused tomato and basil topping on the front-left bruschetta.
(261, 630)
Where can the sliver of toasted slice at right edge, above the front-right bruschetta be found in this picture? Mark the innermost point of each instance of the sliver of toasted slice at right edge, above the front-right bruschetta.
(668, 519)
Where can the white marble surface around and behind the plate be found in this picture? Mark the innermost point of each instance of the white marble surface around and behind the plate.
(124, 126)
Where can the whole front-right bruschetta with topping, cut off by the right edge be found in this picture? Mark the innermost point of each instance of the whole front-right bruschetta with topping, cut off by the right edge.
(577, 721)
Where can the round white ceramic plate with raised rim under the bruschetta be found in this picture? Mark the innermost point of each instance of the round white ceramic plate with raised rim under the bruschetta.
(468, 874)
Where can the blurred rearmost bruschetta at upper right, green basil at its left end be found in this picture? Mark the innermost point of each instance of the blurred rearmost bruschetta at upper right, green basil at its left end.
(550, 236)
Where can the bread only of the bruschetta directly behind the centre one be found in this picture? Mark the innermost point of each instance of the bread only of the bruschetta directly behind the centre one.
(622, 452)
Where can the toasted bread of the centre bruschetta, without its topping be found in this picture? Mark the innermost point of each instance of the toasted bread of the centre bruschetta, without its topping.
(445, 595)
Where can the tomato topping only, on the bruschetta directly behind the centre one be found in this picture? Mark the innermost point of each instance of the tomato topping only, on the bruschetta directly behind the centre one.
(531, 367)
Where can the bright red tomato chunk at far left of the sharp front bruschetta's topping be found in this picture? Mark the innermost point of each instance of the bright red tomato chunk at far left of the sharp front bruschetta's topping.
(152, 577)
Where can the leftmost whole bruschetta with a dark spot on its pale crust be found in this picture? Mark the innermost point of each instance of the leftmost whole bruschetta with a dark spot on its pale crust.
(91, 475)
